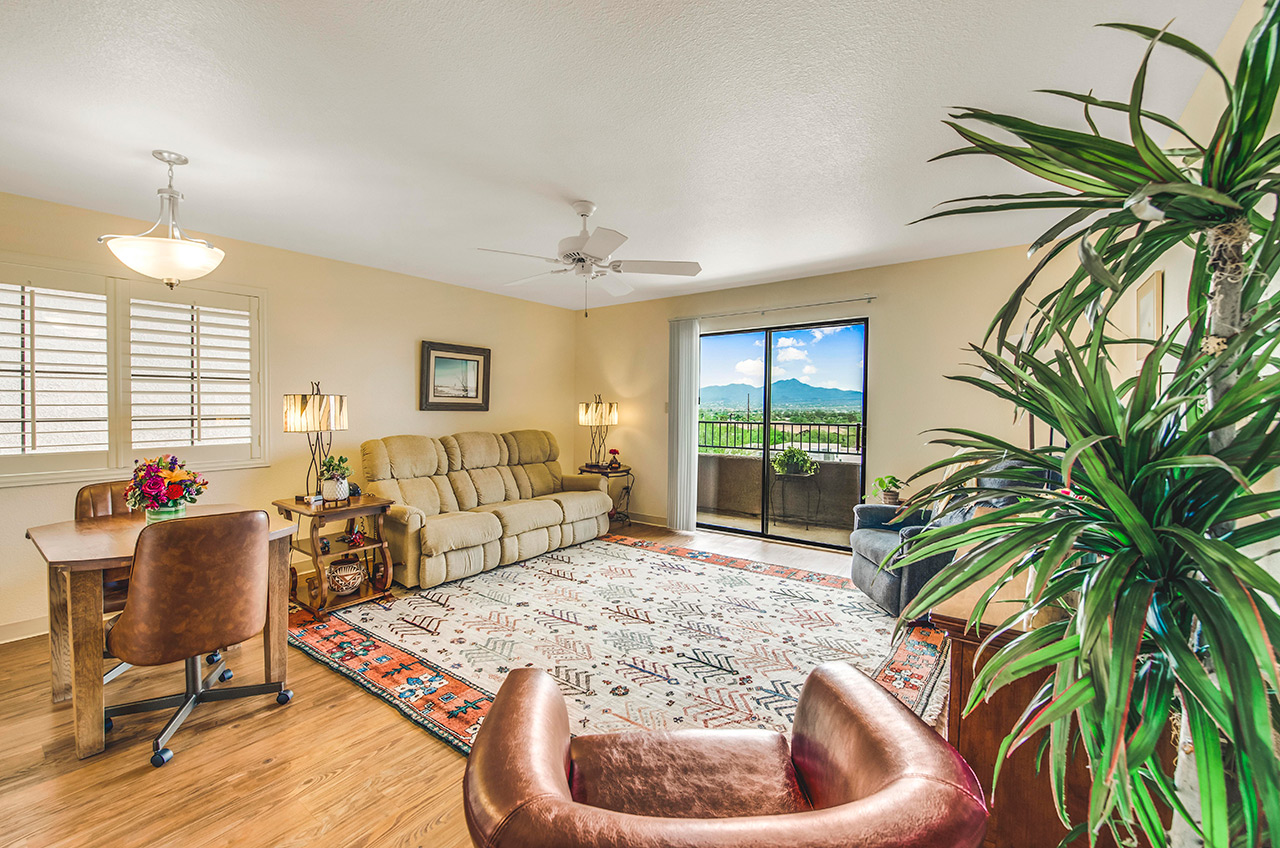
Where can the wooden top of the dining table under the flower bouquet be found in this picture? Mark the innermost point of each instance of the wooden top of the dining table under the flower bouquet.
(93, 545)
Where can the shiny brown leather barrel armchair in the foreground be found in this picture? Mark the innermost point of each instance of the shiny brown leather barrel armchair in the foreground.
(861, 771)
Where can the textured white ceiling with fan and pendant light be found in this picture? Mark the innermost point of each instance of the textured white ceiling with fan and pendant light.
(765, 140)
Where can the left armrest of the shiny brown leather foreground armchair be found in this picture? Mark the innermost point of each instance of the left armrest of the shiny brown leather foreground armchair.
(520, 754)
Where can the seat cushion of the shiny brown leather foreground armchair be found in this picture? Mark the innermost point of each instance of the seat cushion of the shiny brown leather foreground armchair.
(687, 774)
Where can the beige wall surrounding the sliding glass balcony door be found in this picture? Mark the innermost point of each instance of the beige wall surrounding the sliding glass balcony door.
(920, 326)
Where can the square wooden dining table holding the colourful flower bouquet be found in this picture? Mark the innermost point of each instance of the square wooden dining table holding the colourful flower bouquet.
(77, 554)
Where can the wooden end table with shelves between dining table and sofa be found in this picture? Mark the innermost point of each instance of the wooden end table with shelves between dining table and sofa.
(319, 601)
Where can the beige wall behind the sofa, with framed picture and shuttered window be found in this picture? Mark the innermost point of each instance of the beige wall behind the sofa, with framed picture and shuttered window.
(313, 307)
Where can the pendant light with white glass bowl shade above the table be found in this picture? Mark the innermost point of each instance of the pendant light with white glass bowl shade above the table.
(170, 256)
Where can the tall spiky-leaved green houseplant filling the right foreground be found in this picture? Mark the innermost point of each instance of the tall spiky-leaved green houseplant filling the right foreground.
(1149, 544)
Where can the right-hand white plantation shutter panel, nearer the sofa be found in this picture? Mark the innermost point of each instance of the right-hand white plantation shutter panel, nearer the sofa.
(194, 375)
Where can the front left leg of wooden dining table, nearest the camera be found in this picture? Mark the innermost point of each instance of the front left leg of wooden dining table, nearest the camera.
(85, 592)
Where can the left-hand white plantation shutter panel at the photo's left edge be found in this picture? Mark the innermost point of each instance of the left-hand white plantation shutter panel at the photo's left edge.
(54, 391)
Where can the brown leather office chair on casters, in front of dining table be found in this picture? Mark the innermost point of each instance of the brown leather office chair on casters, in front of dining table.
(198, 583)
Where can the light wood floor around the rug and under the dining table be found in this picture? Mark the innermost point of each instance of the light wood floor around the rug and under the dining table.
(337, 768)
